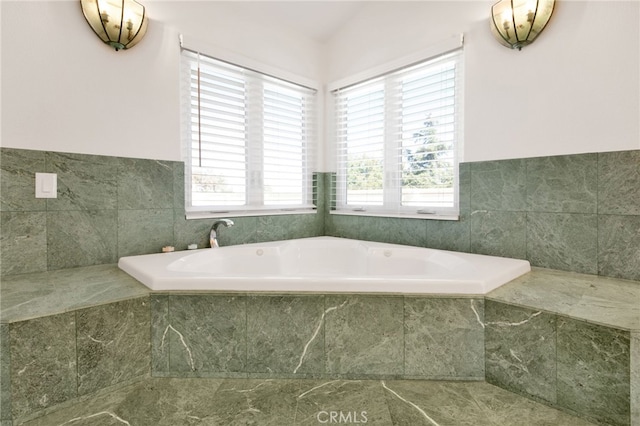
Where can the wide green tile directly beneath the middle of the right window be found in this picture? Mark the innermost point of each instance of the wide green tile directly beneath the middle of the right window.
(411, 232)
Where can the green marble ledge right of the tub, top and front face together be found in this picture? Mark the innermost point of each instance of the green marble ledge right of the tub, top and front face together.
(568, 340)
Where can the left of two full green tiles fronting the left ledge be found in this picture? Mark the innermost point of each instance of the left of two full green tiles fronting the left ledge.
(43, 363)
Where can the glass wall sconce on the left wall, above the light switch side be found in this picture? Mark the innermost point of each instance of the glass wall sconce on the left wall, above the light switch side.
(119, 23)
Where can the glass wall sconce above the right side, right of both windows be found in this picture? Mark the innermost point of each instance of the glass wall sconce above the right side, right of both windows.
(516, 23)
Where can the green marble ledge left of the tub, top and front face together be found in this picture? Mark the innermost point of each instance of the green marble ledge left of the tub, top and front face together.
(69, 333)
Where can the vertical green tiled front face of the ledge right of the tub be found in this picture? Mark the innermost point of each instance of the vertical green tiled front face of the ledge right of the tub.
(578, 366)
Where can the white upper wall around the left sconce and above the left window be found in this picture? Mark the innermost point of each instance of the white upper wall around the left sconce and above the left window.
(64, 90)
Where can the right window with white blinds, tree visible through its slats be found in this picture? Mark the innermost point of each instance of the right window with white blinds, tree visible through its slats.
(397, 138)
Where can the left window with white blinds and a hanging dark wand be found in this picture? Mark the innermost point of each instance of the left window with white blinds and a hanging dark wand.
(249, 140)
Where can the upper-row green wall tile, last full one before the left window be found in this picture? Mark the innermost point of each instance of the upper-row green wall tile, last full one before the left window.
(145, 184)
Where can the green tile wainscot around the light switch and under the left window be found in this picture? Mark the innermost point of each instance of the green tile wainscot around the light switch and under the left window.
(108, 207)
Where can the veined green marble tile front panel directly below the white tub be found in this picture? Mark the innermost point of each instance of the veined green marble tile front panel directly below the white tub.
(315, 336)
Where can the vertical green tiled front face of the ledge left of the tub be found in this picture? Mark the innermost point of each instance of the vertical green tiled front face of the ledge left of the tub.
(54, 359)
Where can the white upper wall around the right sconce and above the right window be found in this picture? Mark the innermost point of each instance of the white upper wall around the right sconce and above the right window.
(575, 90)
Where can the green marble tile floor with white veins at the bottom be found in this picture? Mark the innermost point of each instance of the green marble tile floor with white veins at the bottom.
(176, 402)
